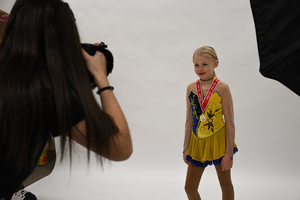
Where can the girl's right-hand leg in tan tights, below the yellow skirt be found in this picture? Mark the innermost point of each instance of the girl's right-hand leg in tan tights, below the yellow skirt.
(225, 183)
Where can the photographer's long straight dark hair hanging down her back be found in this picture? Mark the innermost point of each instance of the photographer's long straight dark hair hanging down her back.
(41, 48)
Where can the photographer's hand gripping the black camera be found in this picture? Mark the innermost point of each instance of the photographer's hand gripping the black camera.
(96, 64)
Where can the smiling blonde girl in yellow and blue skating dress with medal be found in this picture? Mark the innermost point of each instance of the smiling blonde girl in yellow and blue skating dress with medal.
(209, 140)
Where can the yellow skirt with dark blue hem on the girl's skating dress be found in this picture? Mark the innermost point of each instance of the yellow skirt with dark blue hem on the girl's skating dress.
(208, 151)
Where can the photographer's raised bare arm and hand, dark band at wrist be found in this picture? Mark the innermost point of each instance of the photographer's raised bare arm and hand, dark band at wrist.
(121, 144)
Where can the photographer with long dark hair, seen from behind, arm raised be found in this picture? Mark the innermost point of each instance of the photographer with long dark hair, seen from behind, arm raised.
(45, 91)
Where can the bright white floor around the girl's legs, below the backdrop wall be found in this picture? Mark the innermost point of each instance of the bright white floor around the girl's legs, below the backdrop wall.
(119, 181)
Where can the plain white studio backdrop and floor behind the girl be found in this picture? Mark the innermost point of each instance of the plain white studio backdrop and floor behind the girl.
(152, 43)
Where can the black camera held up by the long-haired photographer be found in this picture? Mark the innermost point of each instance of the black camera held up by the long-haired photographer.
(91, 50)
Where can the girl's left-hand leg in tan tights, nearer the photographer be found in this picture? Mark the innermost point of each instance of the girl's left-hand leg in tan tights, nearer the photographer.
(193, 176)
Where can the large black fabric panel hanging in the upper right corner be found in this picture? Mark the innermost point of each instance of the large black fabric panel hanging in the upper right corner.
(278, 40)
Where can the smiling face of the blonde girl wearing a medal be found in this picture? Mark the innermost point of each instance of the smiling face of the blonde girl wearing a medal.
(204, 66)
